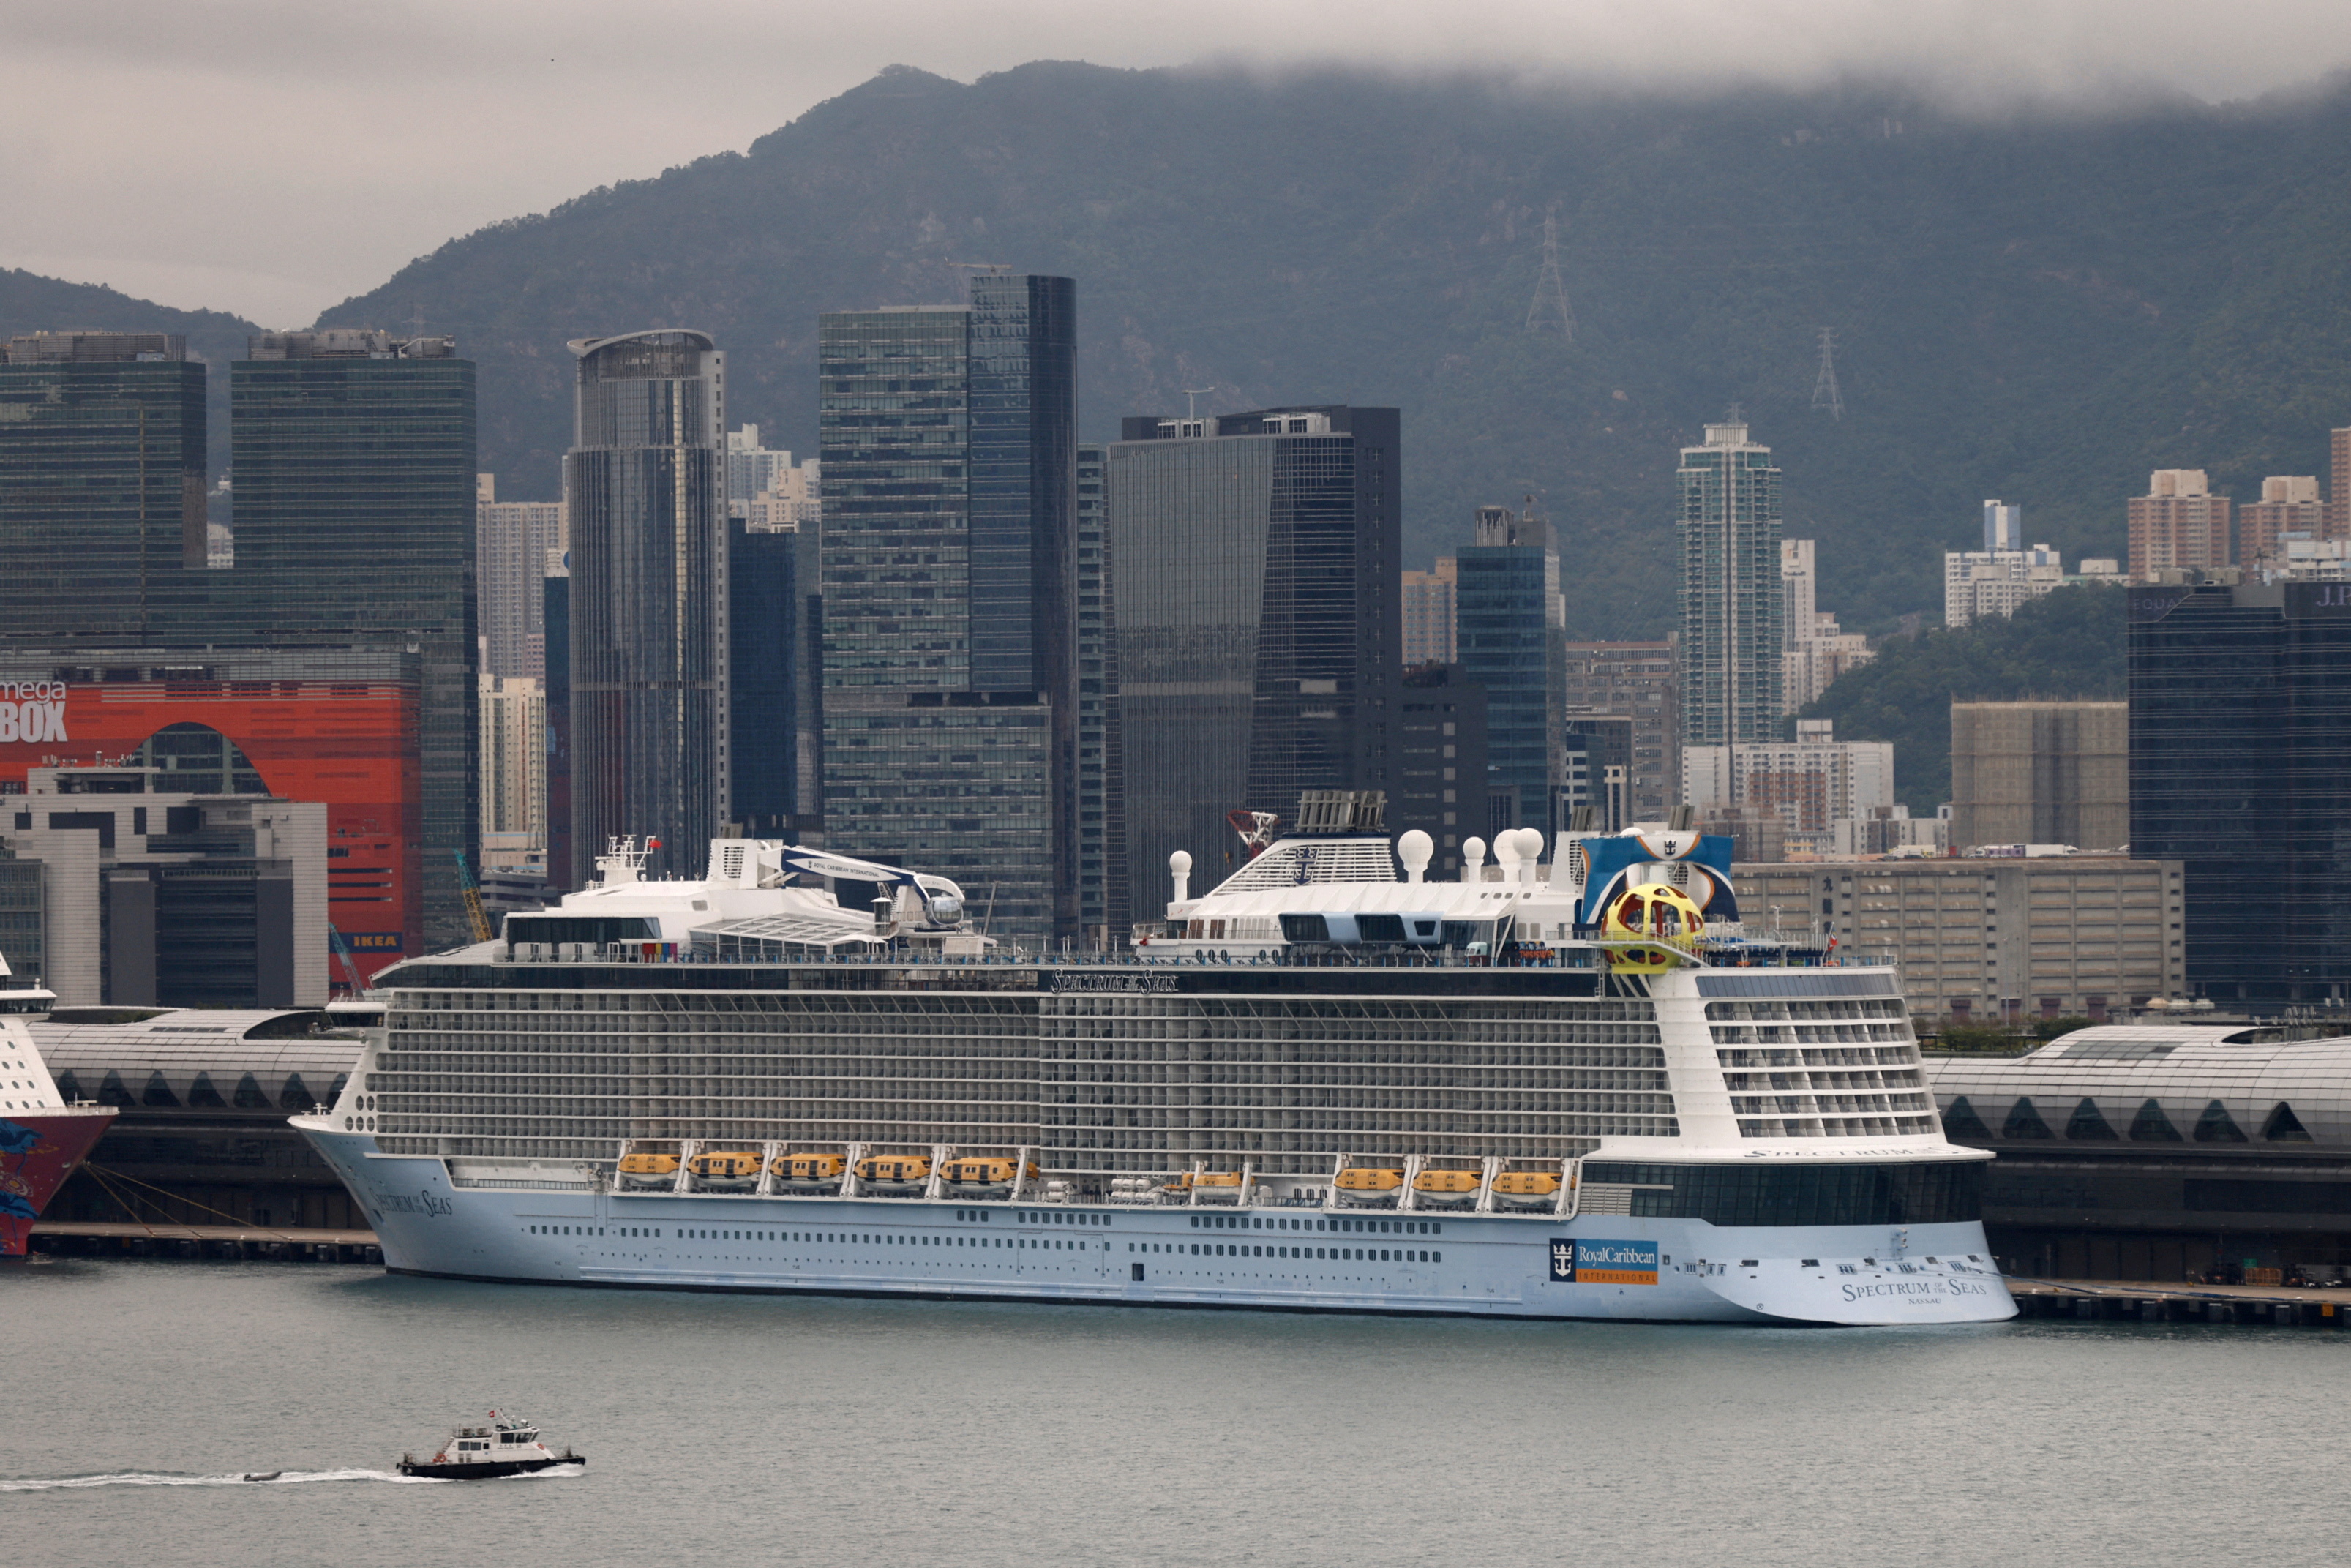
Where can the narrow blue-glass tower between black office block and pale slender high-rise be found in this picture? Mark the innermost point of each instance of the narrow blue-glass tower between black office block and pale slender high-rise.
(1513, 643)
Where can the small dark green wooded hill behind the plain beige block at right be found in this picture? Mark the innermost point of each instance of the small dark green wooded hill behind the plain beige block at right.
(2065, 645)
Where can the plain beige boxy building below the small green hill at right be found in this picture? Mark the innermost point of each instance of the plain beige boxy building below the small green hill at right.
(2042, 775)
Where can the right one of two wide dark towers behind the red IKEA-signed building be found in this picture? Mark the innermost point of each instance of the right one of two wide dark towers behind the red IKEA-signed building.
(356, 521)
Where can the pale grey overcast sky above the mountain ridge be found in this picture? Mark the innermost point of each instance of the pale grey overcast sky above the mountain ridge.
(279, 156)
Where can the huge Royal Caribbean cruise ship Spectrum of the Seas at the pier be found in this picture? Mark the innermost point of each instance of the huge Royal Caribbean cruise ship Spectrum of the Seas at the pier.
(1572, 1085)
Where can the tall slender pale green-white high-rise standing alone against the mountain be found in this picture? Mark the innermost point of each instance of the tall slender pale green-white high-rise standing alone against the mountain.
(1732, 634)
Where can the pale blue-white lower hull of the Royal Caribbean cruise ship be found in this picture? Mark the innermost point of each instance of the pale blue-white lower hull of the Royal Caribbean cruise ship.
(582, 1233)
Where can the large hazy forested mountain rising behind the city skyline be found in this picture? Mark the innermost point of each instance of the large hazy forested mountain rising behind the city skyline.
(2037, 309)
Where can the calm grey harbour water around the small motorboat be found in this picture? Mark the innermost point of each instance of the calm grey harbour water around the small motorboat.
(843, 1433)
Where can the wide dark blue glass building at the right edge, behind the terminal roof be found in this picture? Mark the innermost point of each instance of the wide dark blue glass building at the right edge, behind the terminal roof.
(2242, 770)
